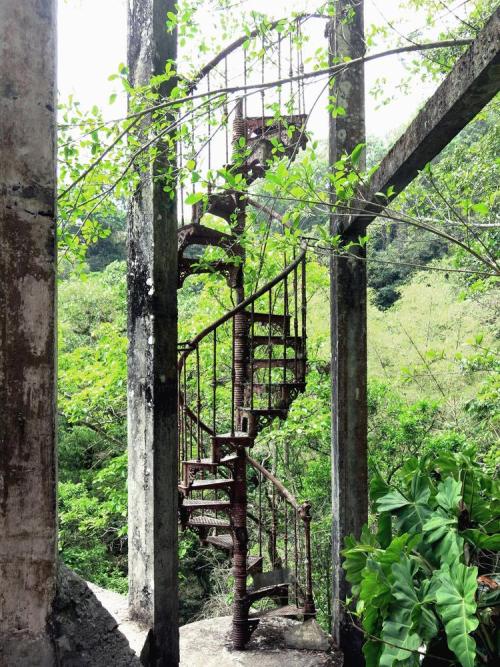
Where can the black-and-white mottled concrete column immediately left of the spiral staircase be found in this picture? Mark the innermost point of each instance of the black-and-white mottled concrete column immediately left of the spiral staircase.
(152, 383)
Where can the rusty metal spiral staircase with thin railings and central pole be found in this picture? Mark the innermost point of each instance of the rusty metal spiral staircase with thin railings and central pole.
(235, 378)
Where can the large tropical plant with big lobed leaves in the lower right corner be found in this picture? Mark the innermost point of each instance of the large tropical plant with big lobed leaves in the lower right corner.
(426, 584)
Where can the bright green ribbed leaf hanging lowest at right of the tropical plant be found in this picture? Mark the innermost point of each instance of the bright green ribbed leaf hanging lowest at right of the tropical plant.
(456, 605)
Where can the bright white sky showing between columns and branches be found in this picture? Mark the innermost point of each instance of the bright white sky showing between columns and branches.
(92, 43)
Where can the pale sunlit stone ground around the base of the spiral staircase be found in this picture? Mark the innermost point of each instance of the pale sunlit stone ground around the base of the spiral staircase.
(207, 643)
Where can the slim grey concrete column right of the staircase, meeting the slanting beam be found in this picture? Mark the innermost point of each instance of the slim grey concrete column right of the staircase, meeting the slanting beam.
(348, 331)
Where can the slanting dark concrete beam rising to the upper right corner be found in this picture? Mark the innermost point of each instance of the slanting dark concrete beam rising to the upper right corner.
(472, 83)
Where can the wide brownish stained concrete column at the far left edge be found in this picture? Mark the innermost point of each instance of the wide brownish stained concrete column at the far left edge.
(27, 330)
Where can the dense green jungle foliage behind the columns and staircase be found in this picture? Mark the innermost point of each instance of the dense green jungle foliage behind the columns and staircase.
(430, 554)
